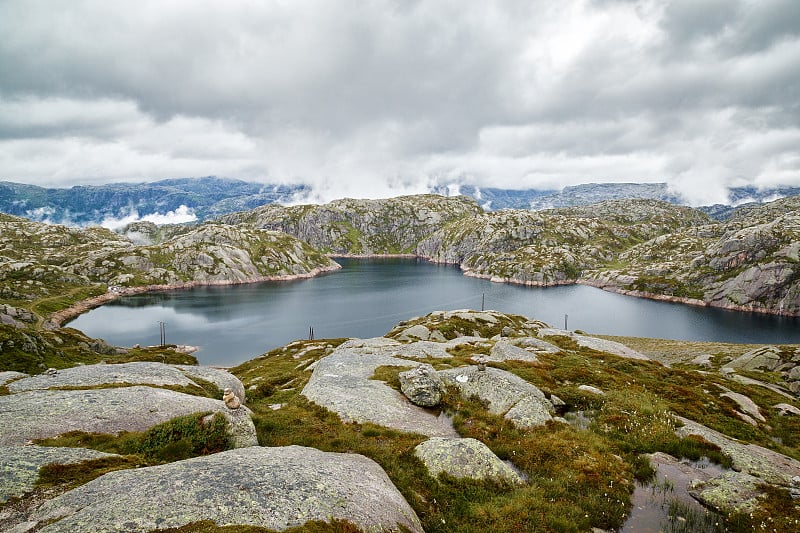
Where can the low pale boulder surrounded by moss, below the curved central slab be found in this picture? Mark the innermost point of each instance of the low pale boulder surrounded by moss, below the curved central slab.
(464, 458)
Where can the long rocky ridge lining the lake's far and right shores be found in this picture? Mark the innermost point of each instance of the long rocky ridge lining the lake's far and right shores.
(645, 248)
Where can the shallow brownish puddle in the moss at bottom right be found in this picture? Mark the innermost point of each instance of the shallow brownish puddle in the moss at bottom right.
(665, 505)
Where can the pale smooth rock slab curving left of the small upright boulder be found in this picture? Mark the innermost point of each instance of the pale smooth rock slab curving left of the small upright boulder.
(341, 383)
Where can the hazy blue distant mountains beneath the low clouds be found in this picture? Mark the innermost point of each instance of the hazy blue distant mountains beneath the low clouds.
(211, 197)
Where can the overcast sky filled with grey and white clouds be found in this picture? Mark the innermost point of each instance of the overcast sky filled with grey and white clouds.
(374, 98)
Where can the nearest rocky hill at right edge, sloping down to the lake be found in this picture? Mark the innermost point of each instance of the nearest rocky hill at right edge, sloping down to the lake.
(750, 262)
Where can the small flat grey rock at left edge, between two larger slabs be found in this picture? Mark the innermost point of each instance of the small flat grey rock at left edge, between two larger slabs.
(19, 465)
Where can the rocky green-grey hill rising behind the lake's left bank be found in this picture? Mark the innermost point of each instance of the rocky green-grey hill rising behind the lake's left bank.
(55, 266)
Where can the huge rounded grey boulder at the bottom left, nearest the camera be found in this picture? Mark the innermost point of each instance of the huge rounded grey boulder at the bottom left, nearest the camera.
(275, 488)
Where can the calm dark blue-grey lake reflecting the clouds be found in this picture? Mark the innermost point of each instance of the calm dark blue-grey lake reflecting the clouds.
(369, 297)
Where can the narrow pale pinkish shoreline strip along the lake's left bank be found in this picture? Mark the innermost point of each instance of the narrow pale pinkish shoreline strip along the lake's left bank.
(57, 319)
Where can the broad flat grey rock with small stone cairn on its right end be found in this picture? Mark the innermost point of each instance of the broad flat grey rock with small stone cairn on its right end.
(47, 413)
